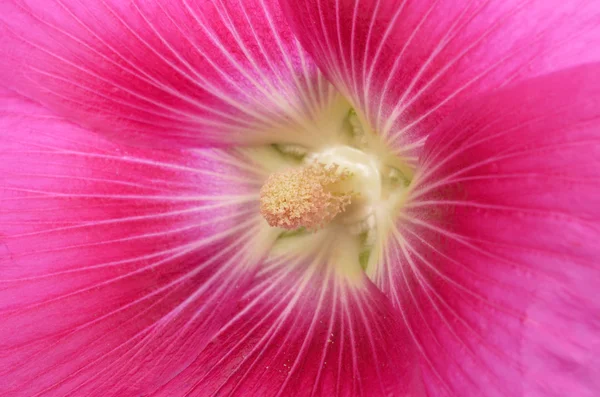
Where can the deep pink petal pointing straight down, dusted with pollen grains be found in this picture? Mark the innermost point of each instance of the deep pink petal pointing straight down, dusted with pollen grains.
(305, 330)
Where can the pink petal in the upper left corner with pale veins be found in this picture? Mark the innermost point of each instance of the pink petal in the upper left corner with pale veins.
(191, 73)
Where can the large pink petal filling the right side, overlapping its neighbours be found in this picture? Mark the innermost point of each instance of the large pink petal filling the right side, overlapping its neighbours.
(497, 249)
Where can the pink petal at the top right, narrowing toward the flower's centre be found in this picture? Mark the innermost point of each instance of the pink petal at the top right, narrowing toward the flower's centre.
(406, 63)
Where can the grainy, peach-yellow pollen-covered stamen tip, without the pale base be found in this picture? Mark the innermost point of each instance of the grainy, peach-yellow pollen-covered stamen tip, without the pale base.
(308, 197)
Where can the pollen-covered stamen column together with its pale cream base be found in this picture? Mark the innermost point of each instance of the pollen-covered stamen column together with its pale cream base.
(336, 180)
